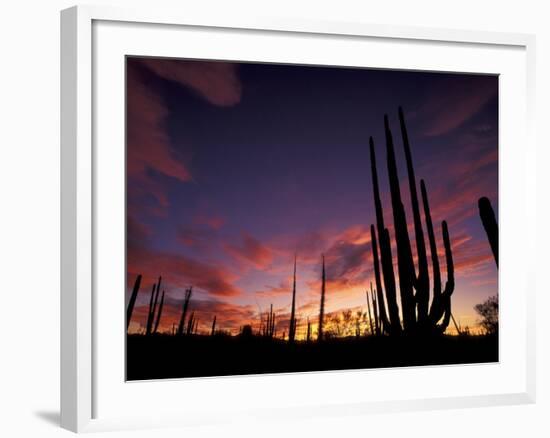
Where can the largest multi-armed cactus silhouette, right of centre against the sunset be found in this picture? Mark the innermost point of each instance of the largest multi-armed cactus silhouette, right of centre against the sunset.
(418, 316)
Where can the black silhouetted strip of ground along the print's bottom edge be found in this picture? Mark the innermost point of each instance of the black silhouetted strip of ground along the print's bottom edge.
(161, 356)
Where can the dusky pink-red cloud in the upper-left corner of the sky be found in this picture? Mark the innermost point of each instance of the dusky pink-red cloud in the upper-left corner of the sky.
(148, 142)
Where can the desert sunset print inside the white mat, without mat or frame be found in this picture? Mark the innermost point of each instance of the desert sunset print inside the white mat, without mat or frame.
(299, 218)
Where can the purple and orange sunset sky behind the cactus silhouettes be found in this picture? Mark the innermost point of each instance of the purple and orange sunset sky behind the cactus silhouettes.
(233, 168)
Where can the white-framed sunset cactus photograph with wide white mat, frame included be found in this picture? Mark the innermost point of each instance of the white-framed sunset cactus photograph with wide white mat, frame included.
(253, 209)
